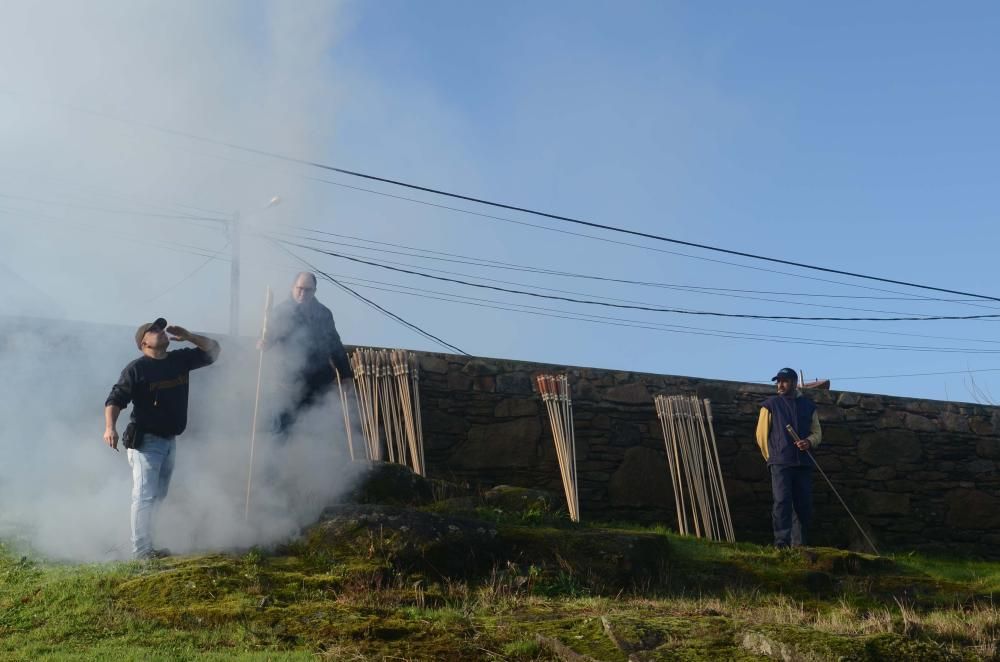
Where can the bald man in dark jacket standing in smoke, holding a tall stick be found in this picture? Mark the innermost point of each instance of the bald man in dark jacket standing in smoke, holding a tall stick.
(303, 331)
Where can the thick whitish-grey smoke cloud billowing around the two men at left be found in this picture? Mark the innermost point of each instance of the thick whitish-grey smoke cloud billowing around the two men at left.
(105, 218)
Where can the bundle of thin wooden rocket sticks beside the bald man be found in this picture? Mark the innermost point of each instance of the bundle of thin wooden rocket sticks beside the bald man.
(388, 387)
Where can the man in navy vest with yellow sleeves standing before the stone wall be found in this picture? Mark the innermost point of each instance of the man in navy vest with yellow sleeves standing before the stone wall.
(788, 459)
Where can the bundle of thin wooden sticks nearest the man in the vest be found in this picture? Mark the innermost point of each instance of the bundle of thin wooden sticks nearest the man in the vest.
(693, 460)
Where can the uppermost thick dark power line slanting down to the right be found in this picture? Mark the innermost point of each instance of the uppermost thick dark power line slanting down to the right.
(520, 209)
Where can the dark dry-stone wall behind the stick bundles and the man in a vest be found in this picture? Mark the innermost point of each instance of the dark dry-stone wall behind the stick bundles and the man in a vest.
(918, 474)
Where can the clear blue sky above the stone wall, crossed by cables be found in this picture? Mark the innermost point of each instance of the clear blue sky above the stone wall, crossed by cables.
(854, 136)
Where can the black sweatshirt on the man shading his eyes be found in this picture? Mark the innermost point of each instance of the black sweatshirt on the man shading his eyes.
(158, 390)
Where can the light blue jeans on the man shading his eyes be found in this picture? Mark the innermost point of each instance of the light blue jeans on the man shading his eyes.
(152, 466)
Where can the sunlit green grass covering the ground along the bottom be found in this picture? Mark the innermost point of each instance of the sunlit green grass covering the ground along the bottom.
(714, 601)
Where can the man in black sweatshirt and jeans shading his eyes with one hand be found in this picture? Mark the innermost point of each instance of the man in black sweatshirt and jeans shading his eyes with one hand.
(156, 384)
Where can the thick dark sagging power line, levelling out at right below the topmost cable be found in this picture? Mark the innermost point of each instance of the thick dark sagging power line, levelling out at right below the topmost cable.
(658, 309)
